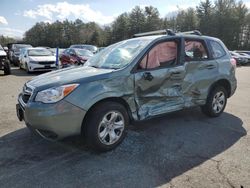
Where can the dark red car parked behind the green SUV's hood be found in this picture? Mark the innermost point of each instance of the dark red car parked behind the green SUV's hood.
(74, 56)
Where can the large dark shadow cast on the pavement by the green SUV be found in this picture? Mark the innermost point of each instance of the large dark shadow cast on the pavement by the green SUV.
(154, 152)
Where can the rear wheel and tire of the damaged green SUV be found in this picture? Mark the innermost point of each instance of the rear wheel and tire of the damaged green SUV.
(216, 102)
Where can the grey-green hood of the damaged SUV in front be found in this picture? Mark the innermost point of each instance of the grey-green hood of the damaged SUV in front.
(67, 76)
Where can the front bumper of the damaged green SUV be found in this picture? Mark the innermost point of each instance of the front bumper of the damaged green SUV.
(51, 121)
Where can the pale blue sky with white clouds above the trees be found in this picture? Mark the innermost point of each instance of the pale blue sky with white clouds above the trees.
(17, 16)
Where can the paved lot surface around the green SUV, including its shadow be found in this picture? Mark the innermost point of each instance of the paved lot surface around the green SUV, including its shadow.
(181, 149)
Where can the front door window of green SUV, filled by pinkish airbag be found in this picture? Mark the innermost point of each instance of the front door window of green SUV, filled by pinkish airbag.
(163, 54)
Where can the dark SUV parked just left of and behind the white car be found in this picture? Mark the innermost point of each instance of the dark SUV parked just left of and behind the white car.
(14, 52)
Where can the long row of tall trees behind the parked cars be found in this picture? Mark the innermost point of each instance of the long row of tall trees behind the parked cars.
(226, 19)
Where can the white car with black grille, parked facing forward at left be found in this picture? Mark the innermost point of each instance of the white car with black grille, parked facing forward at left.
(37, 59)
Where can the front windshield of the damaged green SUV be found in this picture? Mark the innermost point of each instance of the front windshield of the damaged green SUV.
(118, 55)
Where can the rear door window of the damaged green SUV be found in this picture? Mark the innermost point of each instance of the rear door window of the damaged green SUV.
(195, 51)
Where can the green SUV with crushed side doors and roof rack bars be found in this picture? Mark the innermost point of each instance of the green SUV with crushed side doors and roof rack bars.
(134, 79)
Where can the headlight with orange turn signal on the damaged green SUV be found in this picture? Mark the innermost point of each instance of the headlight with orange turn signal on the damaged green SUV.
(55, 94)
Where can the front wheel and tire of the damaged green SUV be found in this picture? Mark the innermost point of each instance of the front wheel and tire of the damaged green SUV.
(106, 120)
